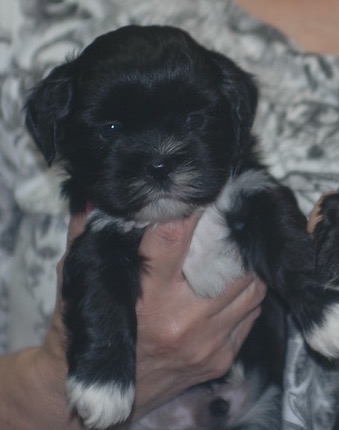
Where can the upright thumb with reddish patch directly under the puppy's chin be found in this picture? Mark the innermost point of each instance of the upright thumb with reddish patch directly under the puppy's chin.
(165, 246)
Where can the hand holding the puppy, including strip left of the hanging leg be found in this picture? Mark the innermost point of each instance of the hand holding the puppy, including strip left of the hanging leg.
(182, 339)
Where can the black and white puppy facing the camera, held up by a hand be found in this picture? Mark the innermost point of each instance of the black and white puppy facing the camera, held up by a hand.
(150, 127)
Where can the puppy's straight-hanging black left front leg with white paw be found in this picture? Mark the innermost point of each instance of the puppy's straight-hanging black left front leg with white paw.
(100, 288)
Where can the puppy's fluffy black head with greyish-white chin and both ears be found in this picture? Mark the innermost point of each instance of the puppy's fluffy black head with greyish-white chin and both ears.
(147, 123)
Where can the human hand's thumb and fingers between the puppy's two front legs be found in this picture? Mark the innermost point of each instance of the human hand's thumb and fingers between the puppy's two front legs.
(183, 339)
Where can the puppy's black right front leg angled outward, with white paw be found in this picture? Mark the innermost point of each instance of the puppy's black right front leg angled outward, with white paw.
(270, 232)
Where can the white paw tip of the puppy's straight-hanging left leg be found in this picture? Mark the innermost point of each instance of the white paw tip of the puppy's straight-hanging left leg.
(100, 406)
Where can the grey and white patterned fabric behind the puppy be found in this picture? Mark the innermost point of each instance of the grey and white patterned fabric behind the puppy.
(297, 123)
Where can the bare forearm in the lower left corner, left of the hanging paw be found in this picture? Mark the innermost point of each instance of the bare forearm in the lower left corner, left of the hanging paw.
(32, 394)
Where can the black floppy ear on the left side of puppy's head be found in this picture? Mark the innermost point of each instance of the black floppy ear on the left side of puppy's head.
(46, 107)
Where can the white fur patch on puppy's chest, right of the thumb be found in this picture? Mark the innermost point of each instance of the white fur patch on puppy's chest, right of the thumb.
(213, 260)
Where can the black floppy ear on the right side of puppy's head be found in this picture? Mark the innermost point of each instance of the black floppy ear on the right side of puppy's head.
(241, 92)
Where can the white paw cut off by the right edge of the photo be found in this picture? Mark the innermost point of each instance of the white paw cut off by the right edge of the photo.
(325, 337)
